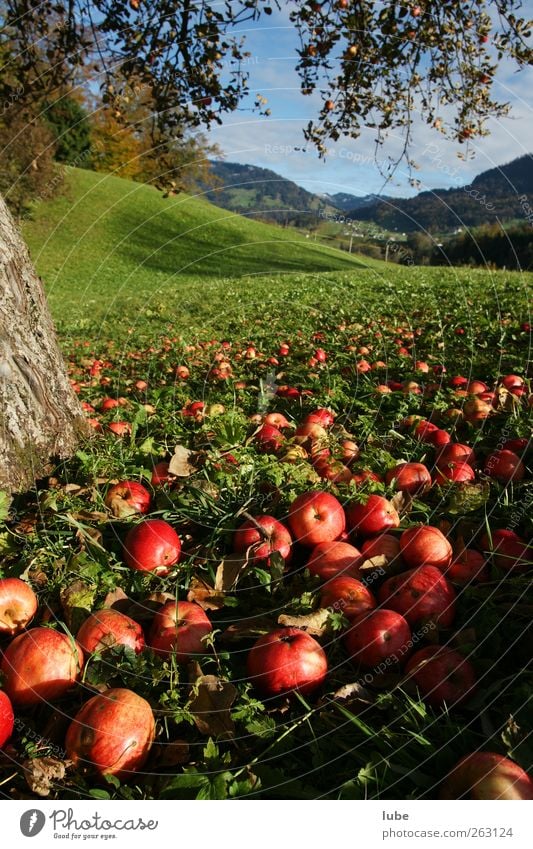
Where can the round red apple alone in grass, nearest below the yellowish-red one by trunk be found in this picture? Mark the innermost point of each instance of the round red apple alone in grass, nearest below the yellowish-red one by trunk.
(152, 546)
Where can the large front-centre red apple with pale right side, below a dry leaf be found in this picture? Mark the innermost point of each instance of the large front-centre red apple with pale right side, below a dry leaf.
(286, 660)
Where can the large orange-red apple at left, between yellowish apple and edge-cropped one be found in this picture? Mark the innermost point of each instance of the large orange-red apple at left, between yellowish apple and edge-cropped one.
(40, 665)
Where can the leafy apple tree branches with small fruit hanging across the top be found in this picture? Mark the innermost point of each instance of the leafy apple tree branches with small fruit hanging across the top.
(374, 64)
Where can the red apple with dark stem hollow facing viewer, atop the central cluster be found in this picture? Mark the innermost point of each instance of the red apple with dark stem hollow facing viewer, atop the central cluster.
(316, 517)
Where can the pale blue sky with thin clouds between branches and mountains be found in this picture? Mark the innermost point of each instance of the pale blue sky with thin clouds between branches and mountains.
(270, 141)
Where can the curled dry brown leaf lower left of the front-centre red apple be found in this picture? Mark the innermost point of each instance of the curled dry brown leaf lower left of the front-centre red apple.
(211, 701)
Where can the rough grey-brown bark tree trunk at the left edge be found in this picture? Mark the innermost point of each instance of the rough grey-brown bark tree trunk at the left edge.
(40, 416)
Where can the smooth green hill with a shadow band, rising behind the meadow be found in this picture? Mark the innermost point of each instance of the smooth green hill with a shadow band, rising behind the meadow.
(108, 243)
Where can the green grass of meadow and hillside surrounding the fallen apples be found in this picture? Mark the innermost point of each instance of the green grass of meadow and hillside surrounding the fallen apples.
(121, 263)
